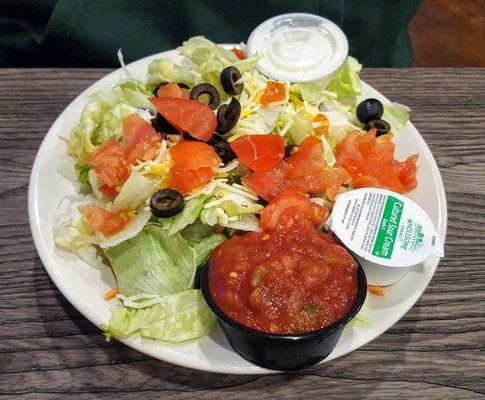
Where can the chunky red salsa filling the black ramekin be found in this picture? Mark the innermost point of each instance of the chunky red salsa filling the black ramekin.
(288, 280)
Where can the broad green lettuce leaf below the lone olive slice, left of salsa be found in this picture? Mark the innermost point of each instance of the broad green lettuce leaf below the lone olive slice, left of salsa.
(153, 263)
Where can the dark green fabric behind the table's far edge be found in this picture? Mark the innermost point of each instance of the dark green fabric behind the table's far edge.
(89, 33)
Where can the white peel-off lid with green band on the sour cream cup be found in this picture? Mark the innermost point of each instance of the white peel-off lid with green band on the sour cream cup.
(384, 227)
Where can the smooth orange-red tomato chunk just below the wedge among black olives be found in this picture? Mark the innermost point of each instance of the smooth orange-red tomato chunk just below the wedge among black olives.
(194, 155)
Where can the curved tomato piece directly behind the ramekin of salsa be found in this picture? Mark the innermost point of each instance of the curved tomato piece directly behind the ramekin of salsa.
(291, 204)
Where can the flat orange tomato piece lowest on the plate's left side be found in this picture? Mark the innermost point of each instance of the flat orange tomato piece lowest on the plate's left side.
(104, 221)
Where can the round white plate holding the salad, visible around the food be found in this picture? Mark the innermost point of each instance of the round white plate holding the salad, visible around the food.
(84, 286)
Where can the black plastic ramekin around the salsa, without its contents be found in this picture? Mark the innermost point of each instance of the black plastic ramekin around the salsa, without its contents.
(283, 352)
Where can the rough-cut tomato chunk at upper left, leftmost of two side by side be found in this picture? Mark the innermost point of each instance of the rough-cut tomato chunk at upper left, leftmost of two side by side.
(110, 163)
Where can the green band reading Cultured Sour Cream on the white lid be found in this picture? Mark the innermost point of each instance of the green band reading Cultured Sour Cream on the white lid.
(388, 227)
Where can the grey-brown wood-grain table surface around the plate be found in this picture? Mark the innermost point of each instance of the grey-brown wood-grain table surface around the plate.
(48, 350)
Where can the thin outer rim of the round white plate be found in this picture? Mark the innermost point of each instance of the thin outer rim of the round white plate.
(176, 358)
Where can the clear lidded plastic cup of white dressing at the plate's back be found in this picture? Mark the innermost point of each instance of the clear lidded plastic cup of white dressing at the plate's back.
(298, 47)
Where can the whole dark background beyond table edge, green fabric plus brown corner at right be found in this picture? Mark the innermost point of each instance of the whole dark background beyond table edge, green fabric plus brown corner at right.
(382, 33)
